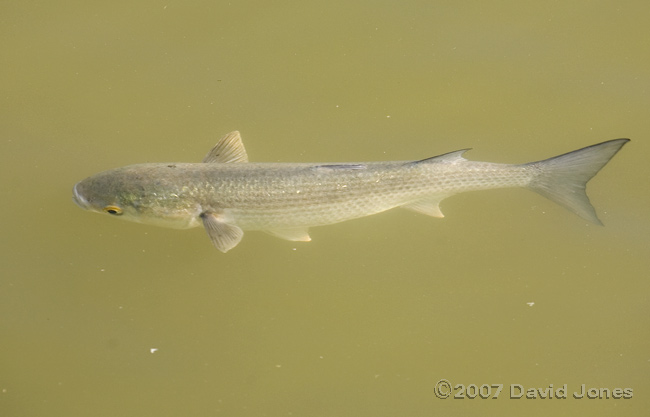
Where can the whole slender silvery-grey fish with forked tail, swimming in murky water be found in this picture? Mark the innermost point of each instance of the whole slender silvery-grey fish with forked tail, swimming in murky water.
(227, 194)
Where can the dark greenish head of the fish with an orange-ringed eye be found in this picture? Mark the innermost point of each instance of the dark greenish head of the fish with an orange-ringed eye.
(136, 193)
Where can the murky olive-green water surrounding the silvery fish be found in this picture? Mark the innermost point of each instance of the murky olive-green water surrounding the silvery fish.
(107, 318)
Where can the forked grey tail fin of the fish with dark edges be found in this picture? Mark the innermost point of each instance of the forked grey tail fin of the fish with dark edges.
(564, 178)
